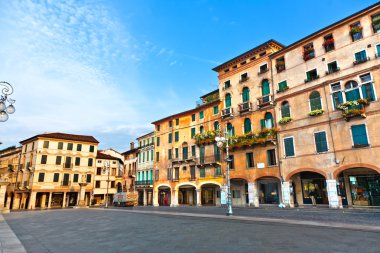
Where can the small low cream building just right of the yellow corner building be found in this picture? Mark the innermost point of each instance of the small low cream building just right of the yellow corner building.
(108, 179)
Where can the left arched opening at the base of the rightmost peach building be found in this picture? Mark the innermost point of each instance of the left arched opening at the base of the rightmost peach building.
(309, 185)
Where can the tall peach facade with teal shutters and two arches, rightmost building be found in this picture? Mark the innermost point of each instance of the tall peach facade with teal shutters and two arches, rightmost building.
(328, 109)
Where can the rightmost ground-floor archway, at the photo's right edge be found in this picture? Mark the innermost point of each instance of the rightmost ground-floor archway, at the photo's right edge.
(359, 186)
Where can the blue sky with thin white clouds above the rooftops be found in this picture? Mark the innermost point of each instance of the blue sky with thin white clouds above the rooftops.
(109, 68)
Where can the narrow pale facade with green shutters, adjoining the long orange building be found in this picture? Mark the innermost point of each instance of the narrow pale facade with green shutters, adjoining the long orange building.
(144, 182)
